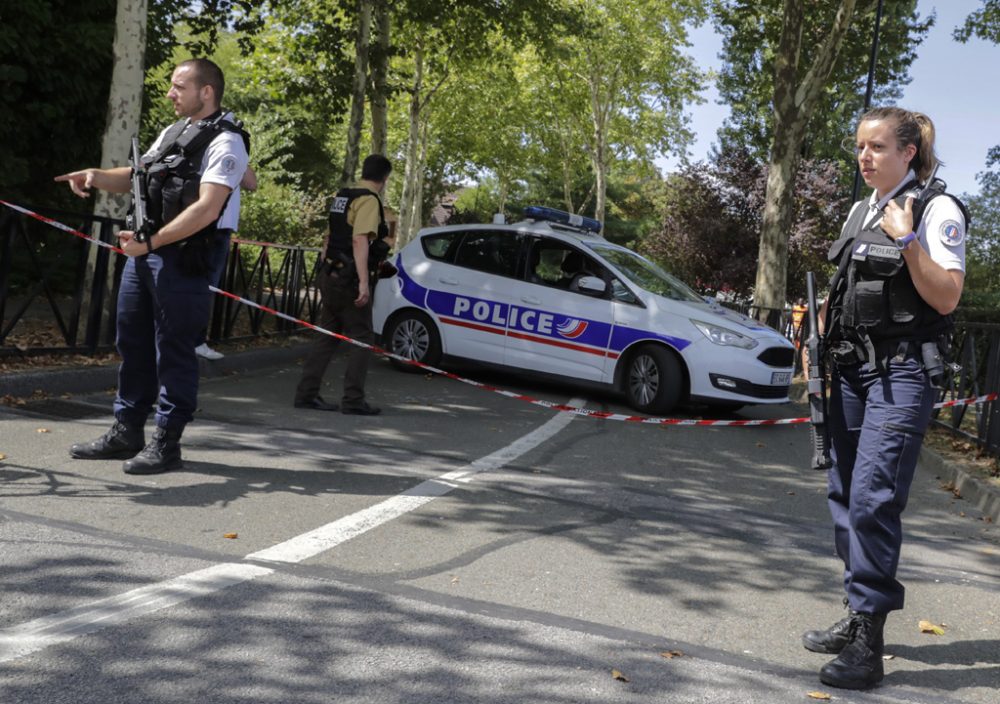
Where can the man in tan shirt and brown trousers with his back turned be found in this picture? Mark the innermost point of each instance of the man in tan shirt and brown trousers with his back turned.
(358, 234)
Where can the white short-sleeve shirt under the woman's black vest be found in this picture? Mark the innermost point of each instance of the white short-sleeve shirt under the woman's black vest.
(941, 231)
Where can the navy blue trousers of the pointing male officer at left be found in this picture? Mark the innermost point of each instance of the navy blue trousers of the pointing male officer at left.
(162, 316)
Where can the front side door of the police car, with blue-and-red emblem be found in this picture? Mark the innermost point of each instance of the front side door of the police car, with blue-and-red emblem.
(555, 326)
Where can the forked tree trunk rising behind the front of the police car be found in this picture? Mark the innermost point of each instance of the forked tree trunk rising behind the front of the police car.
(793, 103)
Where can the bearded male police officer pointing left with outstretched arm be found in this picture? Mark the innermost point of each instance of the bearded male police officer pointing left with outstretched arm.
(163, 302)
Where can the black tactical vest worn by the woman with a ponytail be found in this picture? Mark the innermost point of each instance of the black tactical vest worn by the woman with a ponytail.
(872, 296)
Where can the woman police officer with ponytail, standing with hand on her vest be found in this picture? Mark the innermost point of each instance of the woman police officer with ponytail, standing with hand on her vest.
(901, 261)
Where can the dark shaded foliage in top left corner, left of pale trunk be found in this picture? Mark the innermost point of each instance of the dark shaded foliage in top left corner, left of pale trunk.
(55, 68)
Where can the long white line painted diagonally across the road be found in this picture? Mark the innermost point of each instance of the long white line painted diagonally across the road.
(25, 639)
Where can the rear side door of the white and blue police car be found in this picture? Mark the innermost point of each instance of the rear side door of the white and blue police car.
(472, 295)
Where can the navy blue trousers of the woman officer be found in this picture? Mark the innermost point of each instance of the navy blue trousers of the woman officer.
(877, 422)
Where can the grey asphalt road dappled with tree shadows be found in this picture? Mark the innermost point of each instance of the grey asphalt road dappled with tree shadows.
(461, 547)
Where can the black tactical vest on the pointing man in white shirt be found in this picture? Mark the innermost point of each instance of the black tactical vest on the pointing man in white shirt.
(174, 170)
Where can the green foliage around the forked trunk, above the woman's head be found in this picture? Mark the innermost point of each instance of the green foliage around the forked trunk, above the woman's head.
(751, 29)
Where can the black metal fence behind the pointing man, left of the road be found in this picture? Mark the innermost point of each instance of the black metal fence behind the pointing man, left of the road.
(58, 293)
